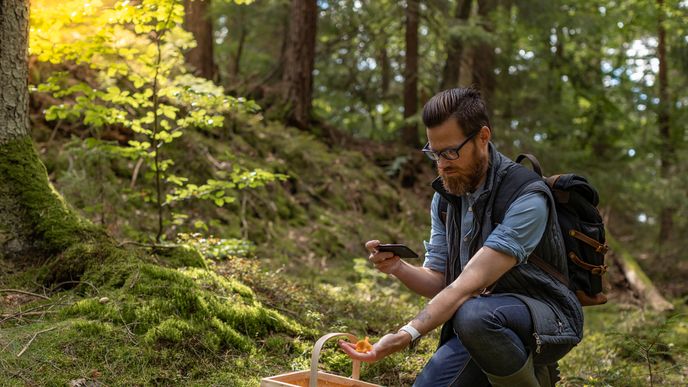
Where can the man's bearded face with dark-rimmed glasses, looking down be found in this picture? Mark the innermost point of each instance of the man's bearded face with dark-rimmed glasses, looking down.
(466, 173)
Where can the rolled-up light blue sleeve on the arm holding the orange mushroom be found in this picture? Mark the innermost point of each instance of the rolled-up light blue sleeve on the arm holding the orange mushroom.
(523, 226)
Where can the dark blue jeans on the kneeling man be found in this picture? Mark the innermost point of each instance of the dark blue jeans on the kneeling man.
(493, 333)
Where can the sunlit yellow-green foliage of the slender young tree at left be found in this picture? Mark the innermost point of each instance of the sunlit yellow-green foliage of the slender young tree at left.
(121, 64)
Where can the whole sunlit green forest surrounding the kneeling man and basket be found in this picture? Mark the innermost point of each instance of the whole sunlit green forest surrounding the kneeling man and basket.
(238, 154)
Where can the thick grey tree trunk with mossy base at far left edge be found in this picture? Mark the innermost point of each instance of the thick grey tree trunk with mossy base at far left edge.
(35, 222)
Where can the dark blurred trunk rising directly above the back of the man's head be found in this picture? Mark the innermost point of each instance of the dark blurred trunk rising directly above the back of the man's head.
(484, 56)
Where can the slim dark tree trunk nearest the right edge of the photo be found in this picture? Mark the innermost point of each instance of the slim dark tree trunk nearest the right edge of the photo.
(667, 151)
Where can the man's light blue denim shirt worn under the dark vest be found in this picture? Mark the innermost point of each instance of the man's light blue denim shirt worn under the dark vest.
(518, 235)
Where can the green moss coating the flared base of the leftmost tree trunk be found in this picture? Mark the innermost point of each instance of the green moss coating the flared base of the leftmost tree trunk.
(51, 225)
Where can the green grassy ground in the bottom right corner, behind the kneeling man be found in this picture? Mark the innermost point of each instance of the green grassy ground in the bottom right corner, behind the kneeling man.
(624, 345)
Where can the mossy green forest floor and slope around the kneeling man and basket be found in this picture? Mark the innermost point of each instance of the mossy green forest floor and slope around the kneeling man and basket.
(241, 310)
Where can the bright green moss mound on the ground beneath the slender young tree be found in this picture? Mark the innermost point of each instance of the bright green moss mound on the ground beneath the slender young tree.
(186, 307)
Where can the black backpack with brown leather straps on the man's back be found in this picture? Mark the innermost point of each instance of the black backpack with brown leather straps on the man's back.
(580, 222)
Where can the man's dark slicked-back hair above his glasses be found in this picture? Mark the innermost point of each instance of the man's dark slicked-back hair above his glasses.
(462, 104)
